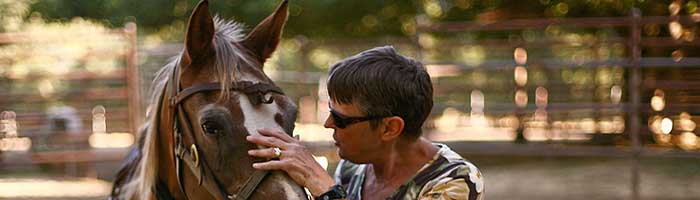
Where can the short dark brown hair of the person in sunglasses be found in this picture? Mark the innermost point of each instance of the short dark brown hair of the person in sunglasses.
(383, 82)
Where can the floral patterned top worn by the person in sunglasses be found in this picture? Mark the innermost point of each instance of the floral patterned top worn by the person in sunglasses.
(447, 176)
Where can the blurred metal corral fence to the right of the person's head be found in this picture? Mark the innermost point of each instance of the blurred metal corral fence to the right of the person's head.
(607, 77)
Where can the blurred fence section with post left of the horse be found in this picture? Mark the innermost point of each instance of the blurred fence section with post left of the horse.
(61, 137)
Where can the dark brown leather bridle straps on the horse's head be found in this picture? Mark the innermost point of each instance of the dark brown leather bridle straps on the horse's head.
(189, 154)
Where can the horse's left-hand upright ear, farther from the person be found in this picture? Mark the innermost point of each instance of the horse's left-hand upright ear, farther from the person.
(200, 31)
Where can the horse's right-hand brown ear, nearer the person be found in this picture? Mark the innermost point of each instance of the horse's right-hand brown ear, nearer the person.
(263, 39)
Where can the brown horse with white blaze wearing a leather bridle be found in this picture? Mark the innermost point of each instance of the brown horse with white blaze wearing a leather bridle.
(205, 102)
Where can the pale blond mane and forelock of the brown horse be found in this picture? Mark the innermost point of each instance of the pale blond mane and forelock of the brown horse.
(137, 177)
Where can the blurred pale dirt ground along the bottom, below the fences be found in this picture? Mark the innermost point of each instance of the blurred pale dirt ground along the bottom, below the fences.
(555, 178)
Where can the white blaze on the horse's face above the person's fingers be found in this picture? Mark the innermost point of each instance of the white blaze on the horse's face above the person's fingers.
(259, 117)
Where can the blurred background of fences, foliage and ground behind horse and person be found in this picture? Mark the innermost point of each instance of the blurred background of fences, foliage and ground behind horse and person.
(552, 99)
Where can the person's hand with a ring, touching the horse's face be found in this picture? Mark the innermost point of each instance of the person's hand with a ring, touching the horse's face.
(295, 159)
